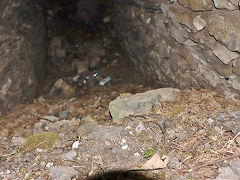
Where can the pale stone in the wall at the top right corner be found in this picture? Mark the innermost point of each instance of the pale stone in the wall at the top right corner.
(226, 4)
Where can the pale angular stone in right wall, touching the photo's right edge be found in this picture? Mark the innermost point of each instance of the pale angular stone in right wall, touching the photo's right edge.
(224, 54)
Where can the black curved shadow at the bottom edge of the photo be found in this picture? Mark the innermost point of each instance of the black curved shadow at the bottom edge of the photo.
(121, 175)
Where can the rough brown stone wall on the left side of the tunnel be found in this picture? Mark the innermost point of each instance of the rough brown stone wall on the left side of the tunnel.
(22, 47)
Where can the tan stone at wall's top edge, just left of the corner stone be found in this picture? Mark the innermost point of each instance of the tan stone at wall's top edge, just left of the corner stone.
(198, 5)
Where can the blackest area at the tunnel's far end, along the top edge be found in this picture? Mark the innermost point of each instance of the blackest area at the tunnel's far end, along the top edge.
(87, 15)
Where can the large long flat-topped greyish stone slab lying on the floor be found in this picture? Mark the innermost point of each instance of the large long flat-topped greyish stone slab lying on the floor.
(123, 107)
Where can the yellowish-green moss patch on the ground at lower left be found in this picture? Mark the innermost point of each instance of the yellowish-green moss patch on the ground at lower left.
(40, 140)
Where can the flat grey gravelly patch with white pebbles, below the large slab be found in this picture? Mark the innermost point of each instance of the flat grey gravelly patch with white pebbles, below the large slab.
(116, 148)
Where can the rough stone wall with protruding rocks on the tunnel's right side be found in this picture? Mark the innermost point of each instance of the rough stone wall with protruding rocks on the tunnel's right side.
(183, 43)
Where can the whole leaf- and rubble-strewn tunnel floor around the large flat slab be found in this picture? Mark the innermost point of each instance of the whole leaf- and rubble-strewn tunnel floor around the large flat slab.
(196, 132)
